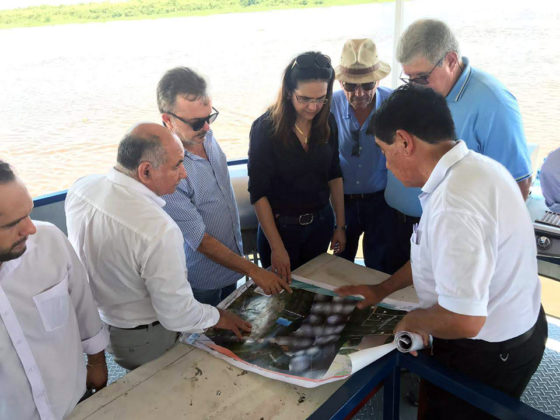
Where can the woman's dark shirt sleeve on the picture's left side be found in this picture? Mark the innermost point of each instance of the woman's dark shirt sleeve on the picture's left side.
(260, 166)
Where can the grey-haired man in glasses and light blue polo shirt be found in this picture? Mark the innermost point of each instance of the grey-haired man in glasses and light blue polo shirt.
(486, 115)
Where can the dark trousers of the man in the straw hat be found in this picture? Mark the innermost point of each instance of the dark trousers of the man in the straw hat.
(368, 215)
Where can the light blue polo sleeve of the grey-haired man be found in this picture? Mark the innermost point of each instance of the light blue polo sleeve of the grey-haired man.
(500, 131)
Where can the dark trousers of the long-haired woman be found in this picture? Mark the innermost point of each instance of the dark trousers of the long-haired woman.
(303, 243)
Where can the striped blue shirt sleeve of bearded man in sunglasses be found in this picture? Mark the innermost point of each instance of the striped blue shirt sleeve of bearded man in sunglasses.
(183, 211)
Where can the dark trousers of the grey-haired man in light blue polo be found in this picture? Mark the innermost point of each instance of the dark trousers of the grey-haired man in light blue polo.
(398, 242)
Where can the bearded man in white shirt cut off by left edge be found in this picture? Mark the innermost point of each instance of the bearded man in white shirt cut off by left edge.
(48, 317)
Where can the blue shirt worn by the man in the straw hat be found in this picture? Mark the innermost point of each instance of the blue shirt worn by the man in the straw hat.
(366, 173)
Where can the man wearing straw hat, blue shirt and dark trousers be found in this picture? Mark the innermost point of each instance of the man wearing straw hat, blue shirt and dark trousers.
(361, 161)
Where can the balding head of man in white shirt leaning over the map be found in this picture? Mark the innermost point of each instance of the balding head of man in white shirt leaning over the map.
(152, 155)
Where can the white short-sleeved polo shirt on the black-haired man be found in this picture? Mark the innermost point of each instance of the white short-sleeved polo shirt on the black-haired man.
(474, 251)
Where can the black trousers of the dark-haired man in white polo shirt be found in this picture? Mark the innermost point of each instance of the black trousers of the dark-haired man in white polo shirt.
(508, 371)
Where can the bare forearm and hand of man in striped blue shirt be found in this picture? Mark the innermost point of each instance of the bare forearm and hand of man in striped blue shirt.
(221, 254)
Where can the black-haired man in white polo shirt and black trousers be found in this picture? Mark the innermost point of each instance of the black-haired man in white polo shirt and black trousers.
(473, 255)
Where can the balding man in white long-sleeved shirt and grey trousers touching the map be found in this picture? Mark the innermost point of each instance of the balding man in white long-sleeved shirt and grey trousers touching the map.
(133, 251)
